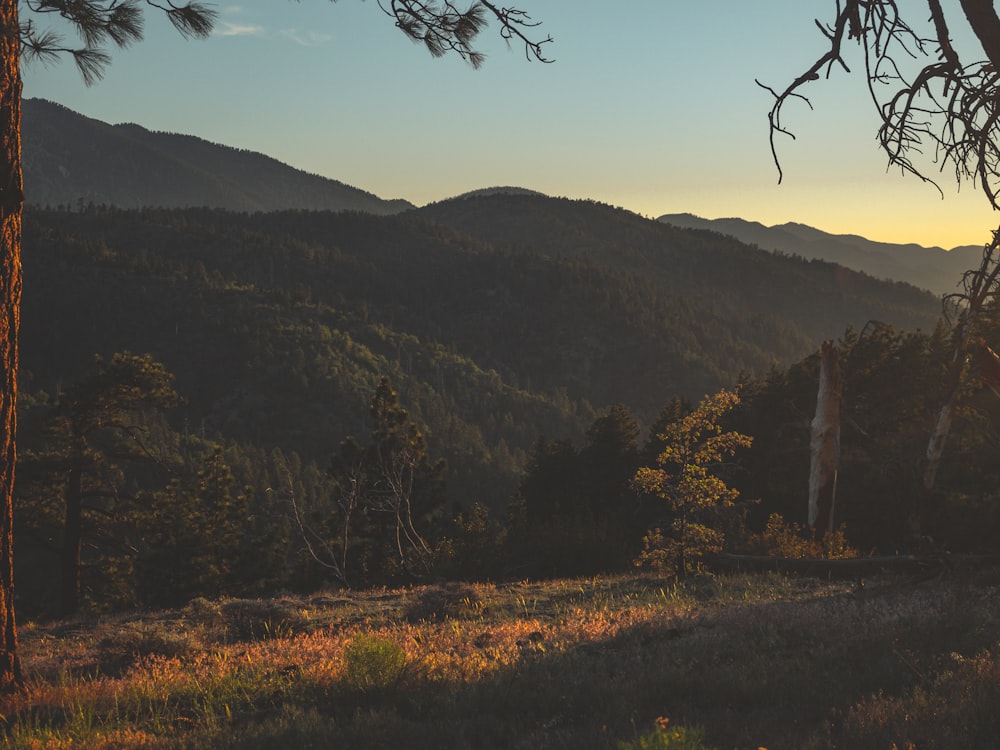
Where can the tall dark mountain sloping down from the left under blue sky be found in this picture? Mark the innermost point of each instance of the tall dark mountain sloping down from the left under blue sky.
(71, 159)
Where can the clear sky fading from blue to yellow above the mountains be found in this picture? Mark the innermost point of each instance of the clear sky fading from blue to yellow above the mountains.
(650, 105)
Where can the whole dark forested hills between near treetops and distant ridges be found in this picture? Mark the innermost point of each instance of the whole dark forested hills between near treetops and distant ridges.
(498, 319)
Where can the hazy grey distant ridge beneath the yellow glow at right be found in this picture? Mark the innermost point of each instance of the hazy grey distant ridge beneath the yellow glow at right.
(930, 268)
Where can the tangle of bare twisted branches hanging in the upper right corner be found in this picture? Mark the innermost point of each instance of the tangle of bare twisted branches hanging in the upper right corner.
(932, 104)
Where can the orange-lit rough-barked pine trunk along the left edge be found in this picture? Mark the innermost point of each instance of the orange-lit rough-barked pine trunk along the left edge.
(11, 202)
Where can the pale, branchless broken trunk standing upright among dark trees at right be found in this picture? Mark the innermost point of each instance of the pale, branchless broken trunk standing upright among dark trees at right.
(825, 442)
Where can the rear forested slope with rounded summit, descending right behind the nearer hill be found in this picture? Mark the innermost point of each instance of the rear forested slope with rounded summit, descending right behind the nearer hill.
(723, 275)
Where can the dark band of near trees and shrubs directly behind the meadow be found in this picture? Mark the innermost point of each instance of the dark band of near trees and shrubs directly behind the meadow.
(119, 508)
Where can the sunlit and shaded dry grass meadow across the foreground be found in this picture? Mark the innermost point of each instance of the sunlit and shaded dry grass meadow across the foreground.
(759, 661)
